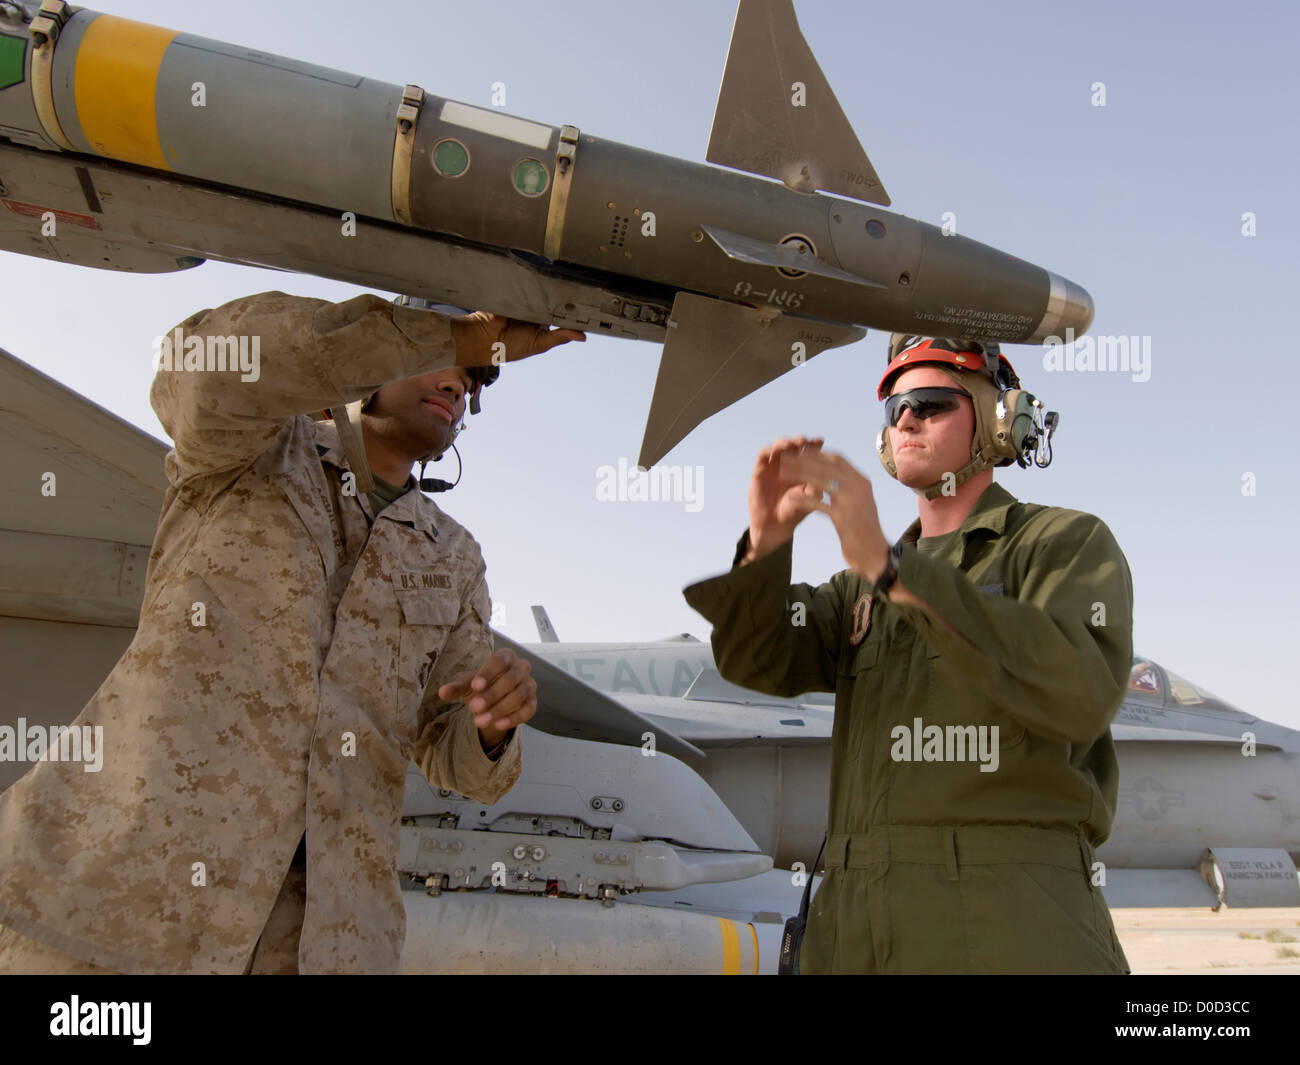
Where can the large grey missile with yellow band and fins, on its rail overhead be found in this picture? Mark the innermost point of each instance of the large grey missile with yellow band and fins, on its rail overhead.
(131, 148)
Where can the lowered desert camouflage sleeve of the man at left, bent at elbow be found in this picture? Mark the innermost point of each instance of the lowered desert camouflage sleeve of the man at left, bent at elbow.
(448, 750)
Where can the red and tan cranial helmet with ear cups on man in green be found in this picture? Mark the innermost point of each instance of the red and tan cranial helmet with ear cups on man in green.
(1011, 425)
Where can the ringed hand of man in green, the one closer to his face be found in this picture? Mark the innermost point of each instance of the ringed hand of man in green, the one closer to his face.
(852, 506)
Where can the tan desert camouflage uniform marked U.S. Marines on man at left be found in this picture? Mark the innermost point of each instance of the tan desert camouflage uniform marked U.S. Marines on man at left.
(326, 629)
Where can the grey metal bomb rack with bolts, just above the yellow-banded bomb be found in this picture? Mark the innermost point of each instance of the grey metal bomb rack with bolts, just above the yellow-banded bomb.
(450, 859)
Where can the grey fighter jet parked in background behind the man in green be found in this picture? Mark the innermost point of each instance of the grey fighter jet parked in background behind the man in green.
(1198, 776)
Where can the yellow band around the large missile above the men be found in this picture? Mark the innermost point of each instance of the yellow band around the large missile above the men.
(116, 80)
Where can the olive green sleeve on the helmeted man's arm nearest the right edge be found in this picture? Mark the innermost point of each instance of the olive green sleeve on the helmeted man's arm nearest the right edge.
(1058, 657)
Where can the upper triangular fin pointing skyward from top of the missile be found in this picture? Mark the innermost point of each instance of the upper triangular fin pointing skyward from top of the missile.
(778, 116)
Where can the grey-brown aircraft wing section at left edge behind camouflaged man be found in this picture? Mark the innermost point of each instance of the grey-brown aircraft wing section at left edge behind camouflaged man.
(80, 499)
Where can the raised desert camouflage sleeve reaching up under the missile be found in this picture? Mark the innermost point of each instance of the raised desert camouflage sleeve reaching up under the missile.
(284, 357)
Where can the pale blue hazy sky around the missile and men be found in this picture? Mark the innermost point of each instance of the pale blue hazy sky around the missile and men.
(985, 111)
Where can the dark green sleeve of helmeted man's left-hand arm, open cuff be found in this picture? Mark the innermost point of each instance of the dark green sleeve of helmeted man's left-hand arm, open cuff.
(770, 635)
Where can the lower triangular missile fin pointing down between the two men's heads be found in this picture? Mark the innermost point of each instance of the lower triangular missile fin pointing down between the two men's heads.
(718, 353)
